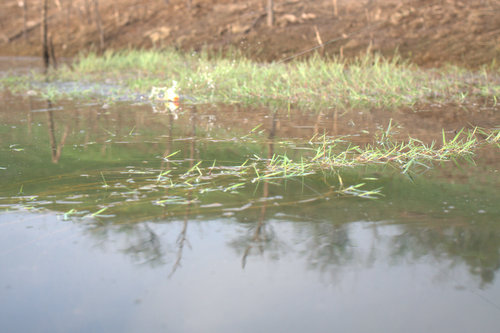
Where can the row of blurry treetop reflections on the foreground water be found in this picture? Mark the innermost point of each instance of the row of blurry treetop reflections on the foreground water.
(323, 246)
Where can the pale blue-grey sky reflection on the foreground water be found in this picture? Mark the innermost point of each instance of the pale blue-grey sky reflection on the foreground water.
(75, 277)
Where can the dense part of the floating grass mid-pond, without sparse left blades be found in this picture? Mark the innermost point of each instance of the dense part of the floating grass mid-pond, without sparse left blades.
(332, 156)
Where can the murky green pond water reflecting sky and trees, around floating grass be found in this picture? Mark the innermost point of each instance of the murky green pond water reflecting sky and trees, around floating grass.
(120, 218)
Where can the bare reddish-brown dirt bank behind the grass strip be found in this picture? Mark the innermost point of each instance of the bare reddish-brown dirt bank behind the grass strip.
(428, 32)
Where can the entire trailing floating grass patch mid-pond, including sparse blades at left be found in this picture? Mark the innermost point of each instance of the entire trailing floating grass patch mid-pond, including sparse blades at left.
(323, 169)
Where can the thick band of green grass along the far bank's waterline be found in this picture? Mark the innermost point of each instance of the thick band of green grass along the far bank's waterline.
(316, 83)
